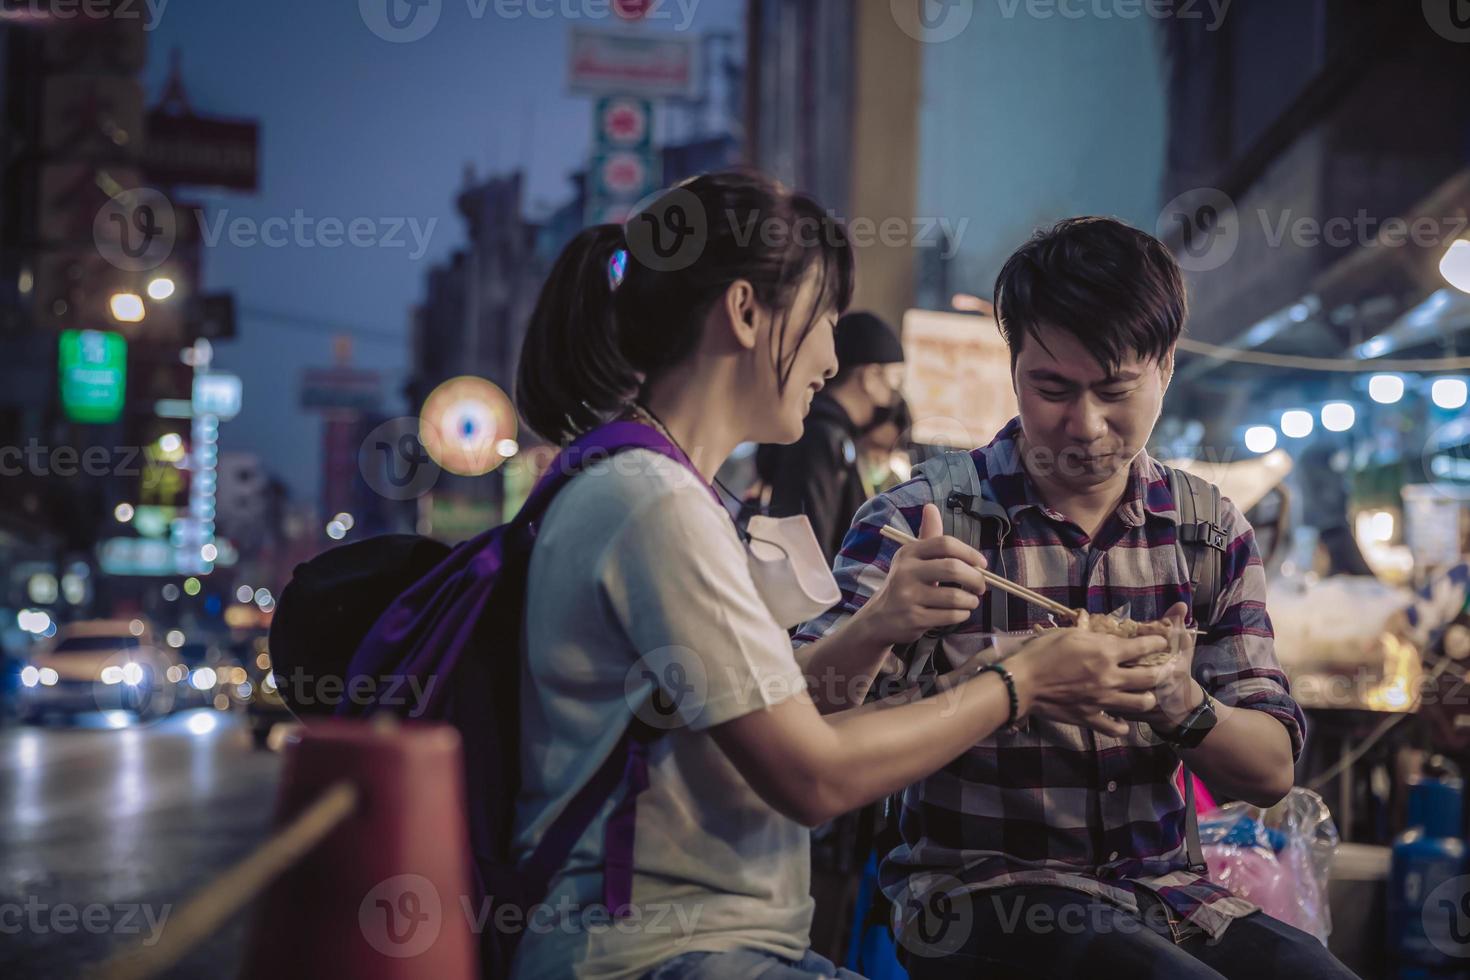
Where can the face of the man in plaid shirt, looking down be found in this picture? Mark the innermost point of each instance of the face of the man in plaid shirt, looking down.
(1084, 424)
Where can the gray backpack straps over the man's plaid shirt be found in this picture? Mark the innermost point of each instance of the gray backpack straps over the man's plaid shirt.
(1202, 540)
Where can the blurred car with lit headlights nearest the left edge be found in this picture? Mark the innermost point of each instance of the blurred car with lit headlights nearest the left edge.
(101, 666)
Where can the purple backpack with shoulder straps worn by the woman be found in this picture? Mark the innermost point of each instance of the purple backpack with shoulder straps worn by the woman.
(462, 625)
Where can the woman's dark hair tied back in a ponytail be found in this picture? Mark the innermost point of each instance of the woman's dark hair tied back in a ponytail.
(593, 342)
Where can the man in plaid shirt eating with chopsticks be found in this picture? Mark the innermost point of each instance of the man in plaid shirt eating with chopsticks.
(1055, 850)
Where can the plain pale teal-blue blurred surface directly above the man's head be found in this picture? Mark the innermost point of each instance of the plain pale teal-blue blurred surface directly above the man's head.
(1031, 120)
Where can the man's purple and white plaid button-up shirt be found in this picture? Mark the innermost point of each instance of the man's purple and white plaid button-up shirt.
(1052, 803)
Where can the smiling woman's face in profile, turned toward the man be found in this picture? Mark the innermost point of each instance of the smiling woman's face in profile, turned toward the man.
(781, 414)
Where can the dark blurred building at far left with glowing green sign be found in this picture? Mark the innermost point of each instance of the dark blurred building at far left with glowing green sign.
(101, 300)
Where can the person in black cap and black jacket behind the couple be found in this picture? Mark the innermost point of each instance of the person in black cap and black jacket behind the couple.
(821, 475)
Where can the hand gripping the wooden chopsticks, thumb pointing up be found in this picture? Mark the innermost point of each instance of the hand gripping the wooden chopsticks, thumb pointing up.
(933, 583)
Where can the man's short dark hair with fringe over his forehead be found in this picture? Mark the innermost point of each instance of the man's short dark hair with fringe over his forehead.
(1115, 289)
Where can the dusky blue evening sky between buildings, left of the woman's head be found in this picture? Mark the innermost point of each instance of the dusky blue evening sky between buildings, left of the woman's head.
(358, 127)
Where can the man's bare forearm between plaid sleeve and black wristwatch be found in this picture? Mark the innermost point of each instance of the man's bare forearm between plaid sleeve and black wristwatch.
(1247, 756)
